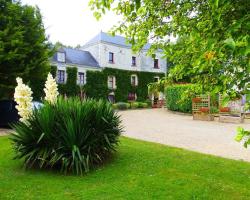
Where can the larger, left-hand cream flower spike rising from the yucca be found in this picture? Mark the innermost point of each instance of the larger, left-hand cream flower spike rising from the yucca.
(23, 99)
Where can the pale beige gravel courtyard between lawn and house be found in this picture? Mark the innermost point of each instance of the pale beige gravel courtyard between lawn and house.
(161, 126)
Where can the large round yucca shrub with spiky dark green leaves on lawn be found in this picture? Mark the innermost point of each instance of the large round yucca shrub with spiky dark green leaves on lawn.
(71, 135)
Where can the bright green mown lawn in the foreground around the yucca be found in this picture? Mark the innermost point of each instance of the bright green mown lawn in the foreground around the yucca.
(140, 170)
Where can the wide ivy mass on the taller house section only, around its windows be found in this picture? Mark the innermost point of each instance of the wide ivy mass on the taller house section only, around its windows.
(97, 87)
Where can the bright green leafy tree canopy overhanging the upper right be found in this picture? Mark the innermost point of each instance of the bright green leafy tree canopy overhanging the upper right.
(213, 37)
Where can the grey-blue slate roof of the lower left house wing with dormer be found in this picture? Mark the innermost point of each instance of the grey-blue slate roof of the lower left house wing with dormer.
(78, 57)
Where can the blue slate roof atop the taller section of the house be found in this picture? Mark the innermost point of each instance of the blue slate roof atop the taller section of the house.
(118, 40)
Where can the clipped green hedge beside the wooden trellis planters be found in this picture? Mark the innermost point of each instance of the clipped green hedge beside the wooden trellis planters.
(174, 98)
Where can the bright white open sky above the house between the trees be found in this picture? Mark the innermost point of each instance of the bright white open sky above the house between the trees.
(71, 22)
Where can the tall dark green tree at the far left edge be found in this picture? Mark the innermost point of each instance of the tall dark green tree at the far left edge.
(24, 48)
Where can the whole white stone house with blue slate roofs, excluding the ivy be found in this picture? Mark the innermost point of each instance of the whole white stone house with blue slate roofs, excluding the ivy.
(106, 51)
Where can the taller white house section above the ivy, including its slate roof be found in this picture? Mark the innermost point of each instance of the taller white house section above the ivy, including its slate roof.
(115, 52)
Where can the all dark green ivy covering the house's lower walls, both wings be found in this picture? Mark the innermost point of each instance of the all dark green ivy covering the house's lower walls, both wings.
(97, 83)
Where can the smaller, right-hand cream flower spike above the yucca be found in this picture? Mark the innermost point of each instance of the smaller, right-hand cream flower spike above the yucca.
(51, 90)
